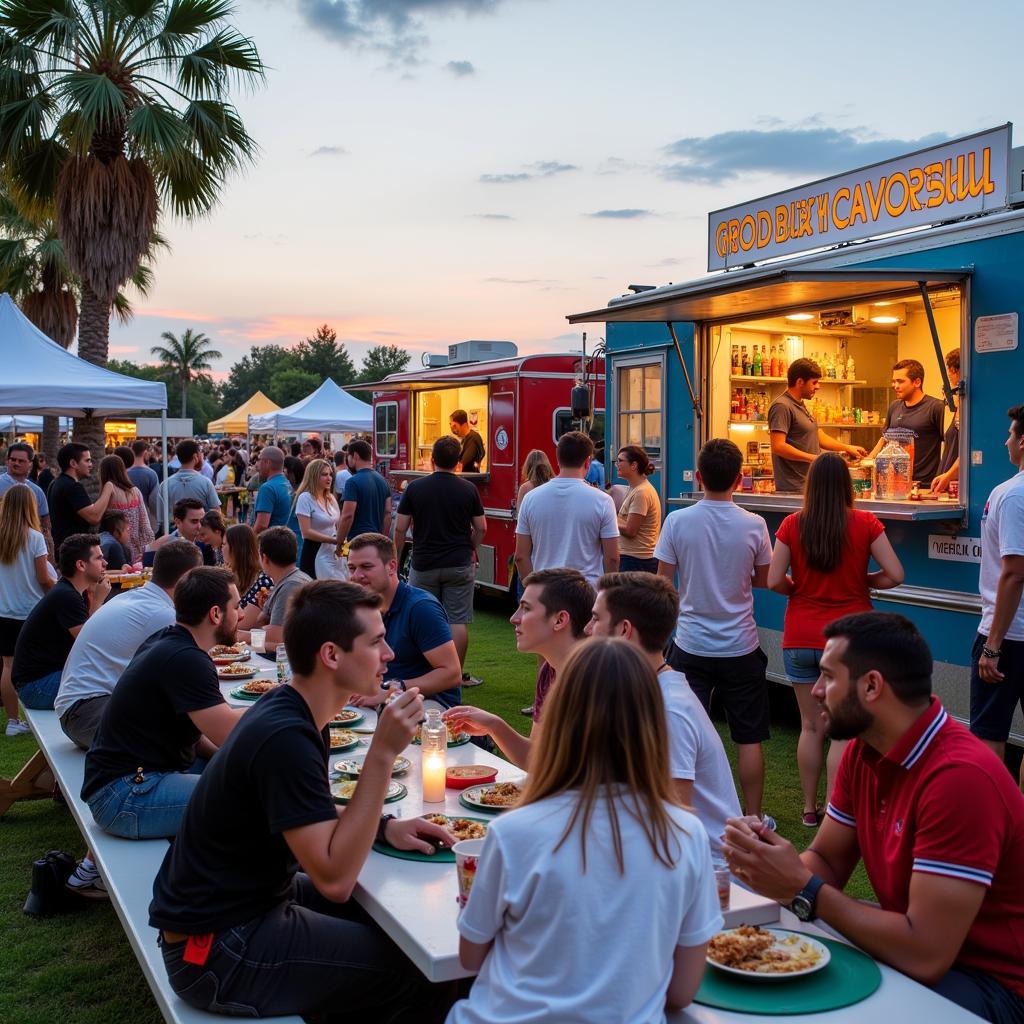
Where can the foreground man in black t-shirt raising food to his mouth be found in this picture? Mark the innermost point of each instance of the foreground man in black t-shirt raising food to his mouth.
(239, 926)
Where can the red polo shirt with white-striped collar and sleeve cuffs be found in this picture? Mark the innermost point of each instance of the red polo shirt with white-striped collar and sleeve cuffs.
(942, 803)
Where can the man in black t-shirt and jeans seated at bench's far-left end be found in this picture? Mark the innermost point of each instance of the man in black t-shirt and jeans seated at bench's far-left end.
(47, 637)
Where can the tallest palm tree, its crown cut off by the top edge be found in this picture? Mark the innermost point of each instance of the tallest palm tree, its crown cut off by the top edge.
(110, 110)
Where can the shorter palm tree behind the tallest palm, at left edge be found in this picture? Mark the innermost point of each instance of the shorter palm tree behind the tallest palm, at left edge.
(34, 270)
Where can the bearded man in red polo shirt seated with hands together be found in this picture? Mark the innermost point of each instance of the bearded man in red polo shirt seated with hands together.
(936, 818)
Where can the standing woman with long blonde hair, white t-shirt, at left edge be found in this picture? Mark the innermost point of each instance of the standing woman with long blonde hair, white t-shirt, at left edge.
(25, 577)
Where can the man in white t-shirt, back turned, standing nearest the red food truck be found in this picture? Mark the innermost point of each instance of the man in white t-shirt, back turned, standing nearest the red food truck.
(567, 524)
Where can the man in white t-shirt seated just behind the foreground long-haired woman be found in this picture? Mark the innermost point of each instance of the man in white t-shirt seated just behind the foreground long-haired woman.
(643, 609)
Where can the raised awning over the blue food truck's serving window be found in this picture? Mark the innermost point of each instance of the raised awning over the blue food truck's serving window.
(766, 292)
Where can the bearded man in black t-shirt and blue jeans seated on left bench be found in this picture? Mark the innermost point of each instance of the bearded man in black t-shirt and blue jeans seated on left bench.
(165, 713)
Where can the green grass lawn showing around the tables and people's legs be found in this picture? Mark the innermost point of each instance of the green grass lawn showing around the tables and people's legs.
(79, 969)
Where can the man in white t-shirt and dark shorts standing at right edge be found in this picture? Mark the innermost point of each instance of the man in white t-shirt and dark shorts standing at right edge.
(998, 659)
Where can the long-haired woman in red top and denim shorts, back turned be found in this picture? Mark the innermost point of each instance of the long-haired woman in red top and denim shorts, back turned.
(822, 563)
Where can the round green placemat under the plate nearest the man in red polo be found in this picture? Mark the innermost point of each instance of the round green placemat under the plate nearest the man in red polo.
(850, 977)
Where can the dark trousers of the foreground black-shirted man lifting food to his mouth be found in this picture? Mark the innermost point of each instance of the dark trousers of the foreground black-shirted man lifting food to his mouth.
(306, 956)
